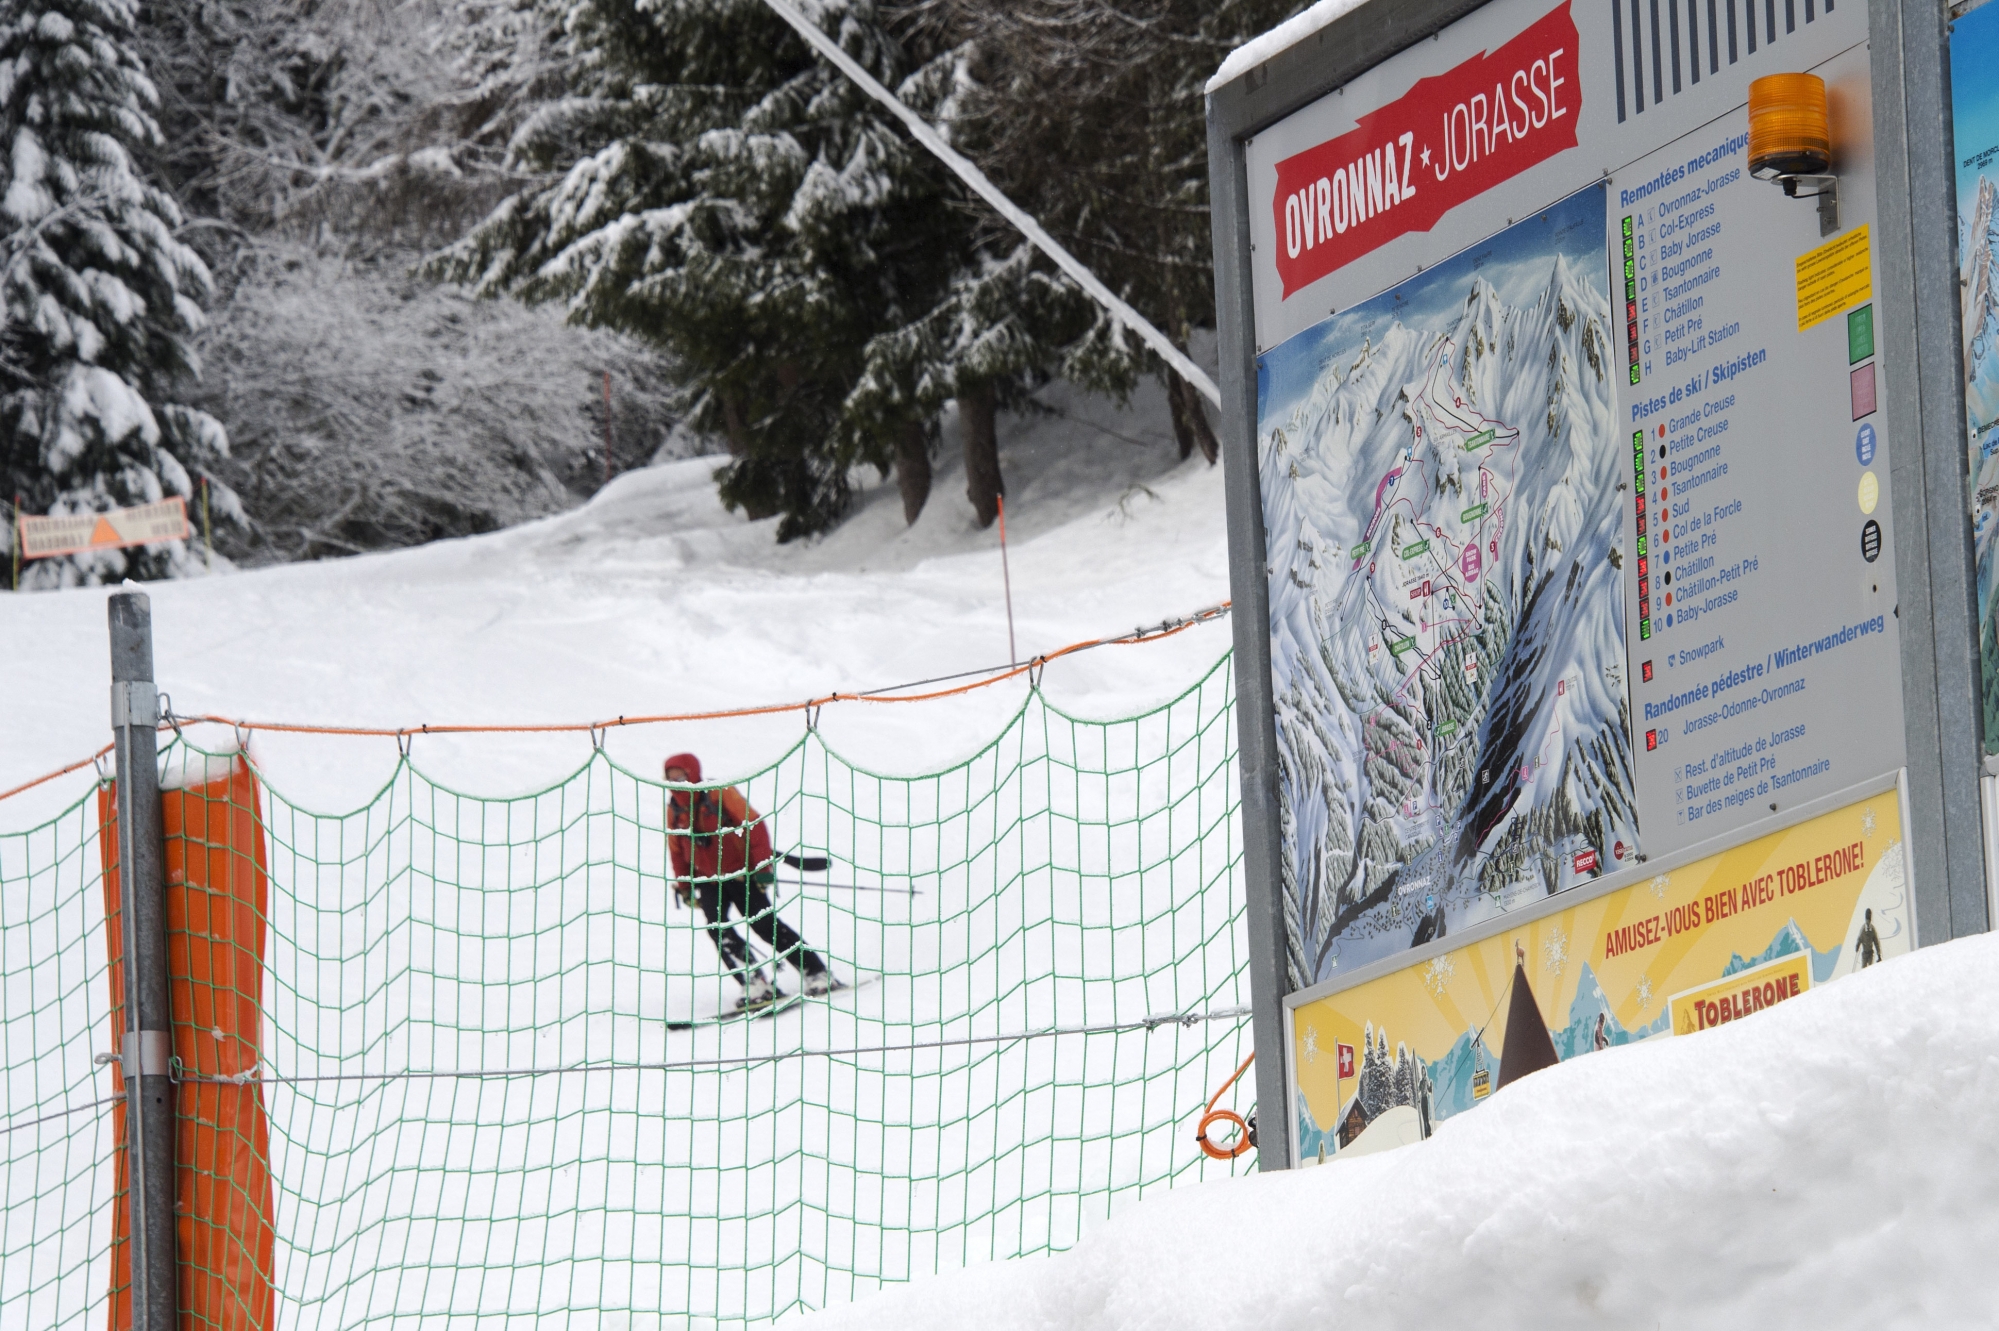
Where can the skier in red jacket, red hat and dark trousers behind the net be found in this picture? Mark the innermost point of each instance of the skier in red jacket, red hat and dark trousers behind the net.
(723, 860)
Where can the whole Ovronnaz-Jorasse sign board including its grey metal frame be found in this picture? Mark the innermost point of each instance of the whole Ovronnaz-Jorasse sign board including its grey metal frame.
(1586, 507)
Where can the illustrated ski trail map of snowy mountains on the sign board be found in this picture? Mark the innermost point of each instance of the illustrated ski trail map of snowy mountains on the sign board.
(1442, 483)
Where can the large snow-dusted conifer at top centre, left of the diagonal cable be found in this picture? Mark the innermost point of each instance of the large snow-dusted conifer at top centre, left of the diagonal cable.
(735, 201)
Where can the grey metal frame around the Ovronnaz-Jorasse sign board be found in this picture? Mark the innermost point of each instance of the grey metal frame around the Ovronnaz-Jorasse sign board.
(1918, 319)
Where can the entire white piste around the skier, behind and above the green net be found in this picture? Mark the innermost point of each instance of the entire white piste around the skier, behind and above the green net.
(653, 599)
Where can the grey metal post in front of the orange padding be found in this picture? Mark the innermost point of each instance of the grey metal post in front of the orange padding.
(149, 1038)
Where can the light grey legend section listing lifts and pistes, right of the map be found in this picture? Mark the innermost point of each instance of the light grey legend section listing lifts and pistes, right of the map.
(1754, 591)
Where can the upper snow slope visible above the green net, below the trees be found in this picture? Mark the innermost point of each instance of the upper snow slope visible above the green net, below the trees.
(653, 601)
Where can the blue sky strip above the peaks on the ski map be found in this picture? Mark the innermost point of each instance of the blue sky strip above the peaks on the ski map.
(1514, 261)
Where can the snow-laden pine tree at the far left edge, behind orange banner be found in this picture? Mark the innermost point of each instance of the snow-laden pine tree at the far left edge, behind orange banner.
(99, 293)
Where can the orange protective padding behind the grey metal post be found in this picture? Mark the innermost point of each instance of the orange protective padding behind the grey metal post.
(217, 898)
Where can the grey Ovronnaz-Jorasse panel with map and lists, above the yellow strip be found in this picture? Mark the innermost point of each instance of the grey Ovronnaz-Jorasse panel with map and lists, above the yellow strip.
(1556, 401)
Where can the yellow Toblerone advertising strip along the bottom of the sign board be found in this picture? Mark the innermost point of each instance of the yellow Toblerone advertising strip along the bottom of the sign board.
(1718, 940)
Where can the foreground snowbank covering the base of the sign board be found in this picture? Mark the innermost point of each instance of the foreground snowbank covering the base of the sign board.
(1836, 1174)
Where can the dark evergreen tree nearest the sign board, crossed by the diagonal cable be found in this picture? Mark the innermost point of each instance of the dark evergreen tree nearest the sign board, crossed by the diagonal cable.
(1128, 197)
